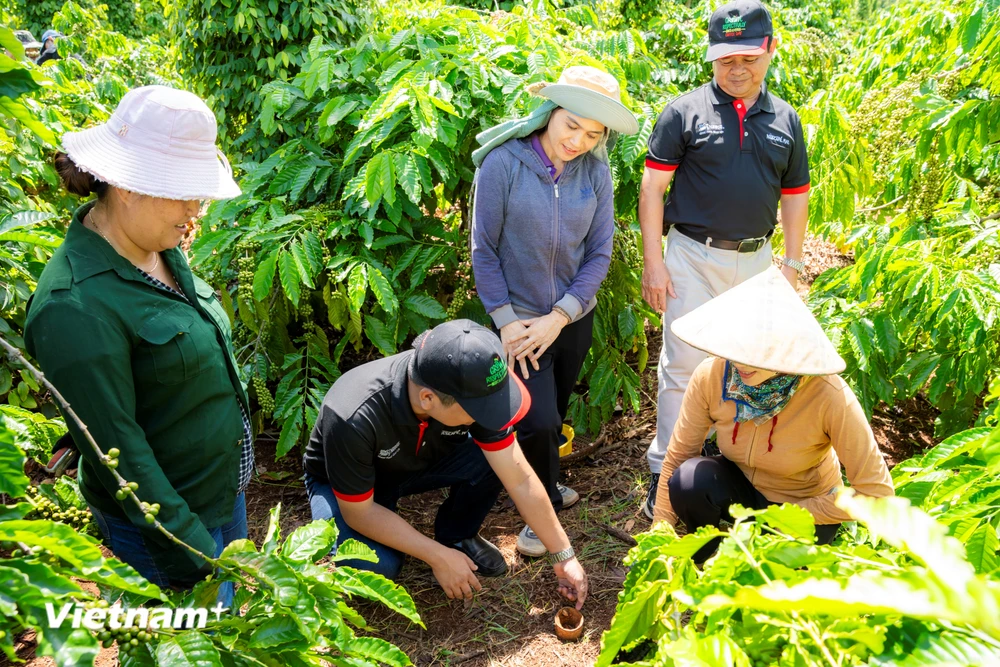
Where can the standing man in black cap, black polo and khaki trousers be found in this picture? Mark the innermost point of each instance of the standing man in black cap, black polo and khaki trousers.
(734, 152)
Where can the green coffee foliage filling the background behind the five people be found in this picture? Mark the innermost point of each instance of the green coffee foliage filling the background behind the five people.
(352, 125)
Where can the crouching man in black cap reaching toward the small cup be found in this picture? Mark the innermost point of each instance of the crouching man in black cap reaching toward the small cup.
(438, 416)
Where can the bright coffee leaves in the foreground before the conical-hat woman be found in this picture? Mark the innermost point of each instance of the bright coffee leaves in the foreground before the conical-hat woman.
(907, 584)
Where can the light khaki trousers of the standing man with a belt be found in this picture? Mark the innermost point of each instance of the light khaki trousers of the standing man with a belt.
(699, 273)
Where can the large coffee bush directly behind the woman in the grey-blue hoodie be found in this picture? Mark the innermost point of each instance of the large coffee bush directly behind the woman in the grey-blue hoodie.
(357, 217)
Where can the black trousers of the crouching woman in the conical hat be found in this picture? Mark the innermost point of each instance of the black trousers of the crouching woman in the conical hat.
(703, 488)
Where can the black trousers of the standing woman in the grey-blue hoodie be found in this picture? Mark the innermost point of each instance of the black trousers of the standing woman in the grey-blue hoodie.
(550, 388)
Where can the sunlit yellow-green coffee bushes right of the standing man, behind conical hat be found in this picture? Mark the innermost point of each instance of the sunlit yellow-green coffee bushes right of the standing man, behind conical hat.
(906, 159)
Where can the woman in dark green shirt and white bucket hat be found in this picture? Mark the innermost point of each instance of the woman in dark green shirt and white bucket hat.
(139, 345)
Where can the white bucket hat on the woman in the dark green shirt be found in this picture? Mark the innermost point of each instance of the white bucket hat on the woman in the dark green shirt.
(159, 142)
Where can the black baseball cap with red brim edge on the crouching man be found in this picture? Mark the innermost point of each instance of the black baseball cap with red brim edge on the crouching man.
(466, 360)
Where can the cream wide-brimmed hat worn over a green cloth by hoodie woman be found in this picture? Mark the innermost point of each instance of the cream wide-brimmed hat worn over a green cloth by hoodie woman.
(590, 93)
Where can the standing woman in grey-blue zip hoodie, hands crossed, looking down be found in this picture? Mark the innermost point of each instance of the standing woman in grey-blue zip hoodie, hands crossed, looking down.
(542, 227)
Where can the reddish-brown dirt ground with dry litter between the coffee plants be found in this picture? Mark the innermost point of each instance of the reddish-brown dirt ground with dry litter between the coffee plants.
(510, 624)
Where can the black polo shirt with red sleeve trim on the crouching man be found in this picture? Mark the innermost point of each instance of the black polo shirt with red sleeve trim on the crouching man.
(367, 433)
